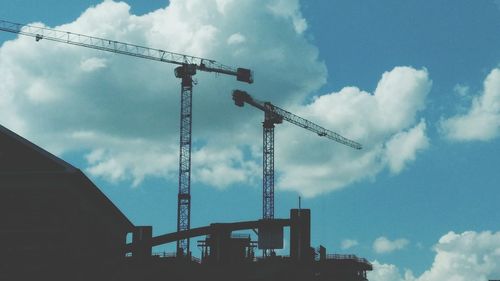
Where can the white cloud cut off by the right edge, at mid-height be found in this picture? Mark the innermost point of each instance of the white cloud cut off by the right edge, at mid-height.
(482, 120)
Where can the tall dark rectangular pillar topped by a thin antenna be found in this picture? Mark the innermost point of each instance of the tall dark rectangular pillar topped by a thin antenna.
(300, 234)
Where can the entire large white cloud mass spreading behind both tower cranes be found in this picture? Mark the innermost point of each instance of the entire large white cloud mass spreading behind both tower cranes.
(123, 112)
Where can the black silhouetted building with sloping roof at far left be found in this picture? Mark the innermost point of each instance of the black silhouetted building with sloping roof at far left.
(53, 220)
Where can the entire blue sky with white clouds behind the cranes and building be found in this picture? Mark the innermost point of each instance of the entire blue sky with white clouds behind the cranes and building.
(416, 82)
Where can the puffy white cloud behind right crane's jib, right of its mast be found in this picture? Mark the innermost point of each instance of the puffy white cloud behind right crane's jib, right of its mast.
(385, 122)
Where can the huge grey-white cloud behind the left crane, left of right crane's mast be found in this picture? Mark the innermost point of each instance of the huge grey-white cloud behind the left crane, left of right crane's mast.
(125, 111)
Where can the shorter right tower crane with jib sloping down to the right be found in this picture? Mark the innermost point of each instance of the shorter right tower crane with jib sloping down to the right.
(275, 115)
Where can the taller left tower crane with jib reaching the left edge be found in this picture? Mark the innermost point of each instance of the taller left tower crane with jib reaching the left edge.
(187, 67)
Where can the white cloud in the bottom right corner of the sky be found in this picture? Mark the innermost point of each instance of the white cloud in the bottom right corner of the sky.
(468, 256)
